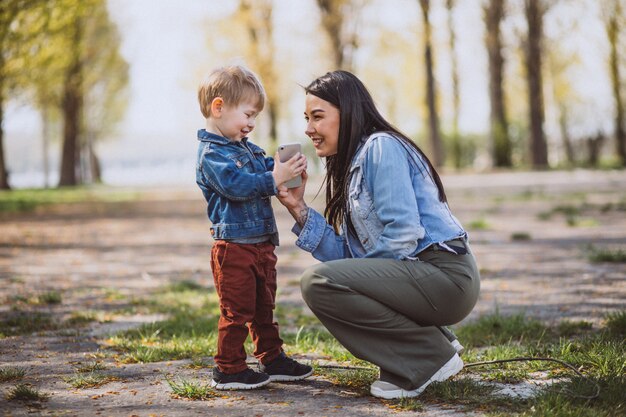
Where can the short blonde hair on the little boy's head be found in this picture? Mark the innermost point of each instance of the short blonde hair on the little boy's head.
(234, 84)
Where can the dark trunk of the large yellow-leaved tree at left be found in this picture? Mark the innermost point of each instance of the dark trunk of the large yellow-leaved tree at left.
(72, 109)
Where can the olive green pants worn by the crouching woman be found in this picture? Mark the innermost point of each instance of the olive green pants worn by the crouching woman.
(387, 311)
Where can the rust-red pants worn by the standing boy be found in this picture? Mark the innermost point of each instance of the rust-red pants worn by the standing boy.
(245, 280)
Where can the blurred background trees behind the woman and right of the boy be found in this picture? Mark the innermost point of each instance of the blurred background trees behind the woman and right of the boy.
(543, 65)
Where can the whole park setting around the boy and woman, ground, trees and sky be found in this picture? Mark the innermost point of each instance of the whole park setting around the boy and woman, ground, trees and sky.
(107, 303)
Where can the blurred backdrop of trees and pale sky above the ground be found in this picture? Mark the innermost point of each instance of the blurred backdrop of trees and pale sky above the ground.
(456, 75)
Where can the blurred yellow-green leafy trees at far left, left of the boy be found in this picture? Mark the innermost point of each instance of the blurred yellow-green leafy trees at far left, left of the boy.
(62, 57)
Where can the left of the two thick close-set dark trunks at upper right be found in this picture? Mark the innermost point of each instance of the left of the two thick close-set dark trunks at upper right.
(499, 127)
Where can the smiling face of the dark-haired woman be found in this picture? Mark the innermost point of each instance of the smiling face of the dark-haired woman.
(322, 125)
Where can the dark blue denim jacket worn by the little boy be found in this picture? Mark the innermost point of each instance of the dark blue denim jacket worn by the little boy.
(237, 183)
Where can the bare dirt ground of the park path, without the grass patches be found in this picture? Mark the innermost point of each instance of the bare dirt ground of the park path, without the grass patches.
(89, 251)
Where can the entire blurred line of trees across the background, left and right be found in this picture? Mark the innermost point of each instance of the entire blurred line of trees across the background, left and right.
(63, 57)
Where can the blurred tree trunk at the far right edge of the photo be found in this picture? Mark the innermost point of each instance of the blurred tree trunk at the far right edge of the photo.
(613, 32)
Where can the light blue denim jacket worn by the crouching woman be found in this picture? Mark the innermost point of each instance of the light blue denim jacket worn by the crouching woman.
(394, 207)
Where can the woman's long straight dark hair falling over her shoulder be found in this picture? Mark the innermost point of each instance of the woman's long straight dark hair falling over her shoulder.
(358, 118)
